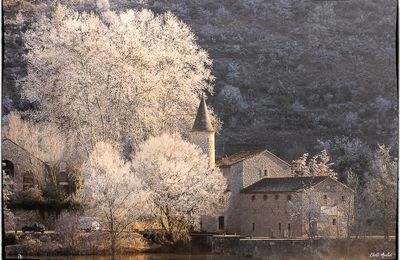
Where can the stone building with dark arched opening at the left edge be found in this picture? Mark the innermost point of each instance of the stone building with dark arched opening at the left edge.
(25, 169)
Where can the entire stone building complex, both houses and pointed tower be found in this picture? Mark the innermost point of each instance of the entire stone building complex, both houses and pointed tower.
(260, 175)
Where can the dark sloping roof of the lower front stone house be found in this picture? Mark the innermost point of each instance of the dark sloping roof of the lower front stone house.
(284, 184)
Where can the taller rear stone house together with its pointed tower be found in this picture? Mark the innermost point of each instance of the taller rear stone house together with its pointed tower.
(240, 170)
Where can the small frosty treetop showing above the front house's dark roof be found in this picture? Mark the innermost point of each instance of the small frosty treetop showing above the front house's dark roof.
(318, 165)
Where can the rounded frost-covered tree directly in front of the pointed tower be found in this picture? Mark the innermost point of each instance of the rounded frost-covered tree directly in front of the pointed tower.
(182, 187)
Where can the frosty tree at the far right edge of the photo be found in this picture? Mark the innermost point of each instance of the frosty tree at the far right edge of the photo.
(381, 191)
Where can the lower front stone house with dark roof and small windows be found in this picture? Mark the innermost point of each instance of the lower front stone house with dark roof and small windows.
(287, 207)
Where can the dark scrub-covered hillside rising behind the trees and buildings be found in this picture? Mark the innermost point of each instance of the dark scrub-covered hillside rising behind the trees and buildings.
(287, 73)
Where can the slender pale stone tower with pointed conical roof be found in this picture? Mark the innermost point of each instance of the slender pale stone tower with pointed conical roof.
(203, 134)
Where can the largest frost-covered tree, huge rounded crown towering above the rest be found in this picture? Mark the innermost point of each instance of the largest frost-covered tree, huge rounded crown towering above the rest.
(118, 77)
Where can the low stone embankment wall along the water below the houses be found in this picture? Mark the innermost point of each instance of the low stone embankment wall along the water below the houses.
(303, 248)
